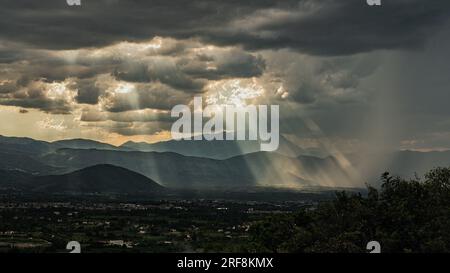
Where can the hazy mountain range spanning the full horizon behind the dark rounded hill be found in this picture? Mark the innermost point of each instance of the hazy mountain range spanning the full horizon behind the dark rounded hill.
(223, 166)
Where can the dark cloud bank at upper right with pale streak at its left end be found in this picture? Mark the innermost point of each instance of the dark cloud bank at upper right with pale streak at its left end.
(329, 27)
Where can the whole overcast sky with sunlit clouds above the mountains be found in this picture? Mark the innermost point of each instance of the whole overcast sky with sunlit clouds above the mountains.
(111, 70)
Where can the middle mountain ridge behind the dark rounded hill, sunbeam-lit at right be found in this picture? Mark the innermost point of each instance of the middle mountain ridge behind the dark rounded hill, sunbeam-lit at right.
(178, 171)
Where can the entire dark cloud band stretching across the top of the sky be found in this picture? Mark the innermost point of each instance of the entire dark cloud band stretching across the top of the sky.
(324, 27)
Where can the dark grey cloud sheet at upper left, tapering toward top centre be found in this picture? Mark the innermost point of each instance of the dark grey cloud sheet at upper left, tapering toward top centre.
(53, 24)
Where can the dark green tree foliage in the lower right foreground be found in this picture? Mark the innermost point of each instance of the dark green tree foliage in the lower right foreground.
(404, 216)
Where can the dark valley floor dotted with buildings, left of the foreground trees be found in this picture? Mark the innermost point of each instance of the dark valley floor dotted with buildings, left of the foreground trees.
(114, 226)
